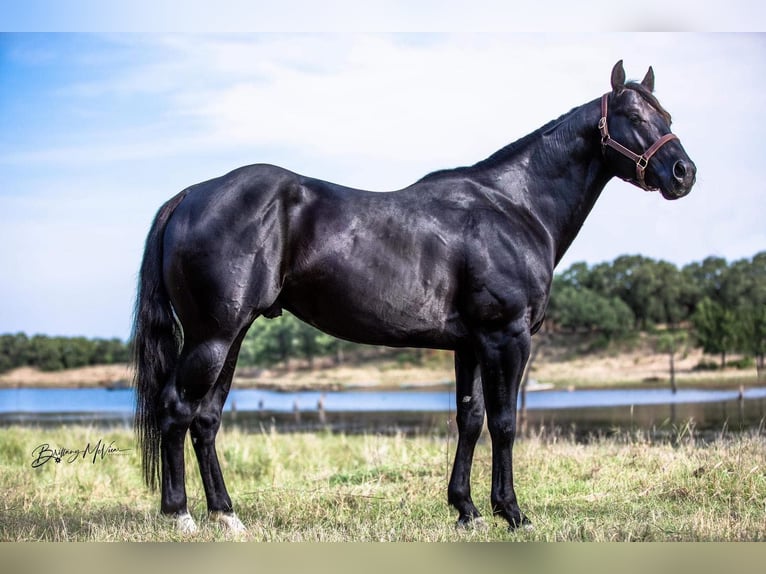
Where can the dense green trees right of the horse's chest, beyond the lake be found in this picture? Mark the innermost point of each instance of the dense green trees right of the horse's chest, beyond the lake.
(724, 303)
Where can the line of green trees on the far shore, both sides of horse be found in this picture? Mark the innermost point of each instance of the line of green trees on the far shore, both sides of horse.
(720, 306)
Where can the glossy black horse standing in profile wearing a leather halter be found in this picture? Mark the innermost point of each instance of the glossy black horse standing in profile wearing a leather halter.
(461, 260)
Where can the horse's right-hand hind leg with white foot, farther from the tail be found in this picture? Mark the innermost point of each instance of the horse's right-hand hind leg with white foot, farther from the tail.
(204, 429)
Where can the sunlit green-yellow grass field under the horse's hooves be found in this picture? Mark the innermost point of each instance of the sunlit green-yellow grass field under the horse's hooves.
(317, 487)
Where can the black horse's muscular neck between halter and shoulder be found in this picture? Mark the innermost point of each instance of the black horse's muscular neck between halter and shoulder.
(557, 173)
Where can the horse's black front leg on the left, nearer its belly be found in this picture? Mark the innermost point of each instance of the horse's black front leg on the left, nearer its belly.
(470, 419)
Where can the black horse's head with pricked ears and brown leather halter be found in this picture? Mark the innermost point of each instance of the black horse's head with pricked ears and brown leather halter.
(636, 139)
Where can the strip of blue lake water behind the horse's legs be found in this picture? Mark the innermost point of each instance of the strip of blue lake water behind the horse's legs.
(370, 410)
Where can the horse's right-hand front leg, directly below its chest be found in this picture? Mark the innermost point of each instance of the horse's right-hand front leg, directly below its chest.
(502, 357)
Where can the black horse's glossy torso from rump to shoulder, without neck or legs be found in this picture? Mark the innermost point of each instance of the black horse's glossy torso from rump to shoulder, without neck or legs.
(405, 268)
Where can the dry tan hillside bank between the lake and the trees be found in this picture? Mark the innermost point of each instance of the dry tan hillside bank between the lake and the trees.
(565, 362)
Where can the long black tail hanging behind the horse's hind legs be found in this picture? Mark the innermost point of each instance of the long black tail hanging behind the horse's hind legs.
(157, 338)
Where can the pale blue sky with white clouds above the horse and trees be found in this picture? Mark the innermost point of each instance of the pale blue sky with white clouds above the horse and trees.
(97, 130)
